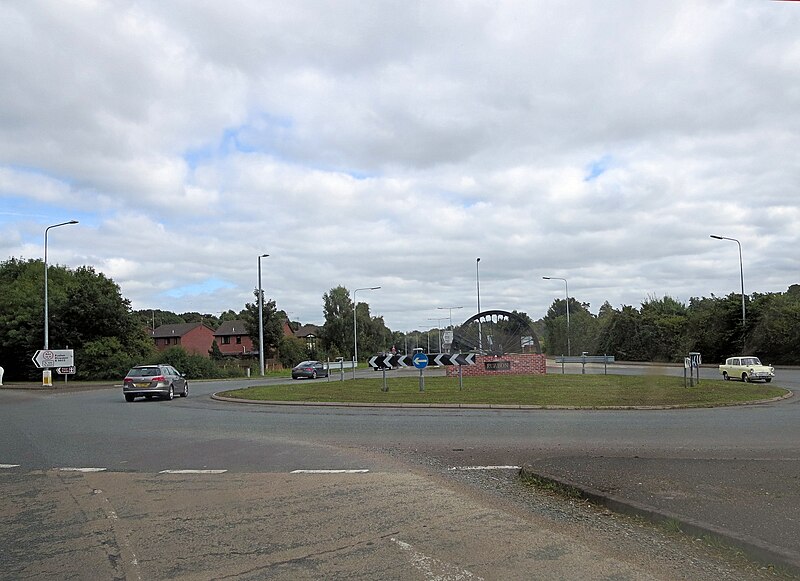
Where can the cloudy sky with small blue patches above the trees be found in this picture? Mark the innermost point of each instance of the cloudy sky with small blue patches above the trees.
(393, 143)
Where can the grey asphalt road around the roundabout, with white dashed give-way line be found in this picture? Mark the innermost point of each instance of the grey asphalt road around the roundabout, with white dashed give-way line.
(709, 463)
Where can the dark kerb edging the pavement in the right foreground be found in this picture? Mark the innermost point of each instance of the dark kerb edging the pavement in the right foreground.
(755, 549)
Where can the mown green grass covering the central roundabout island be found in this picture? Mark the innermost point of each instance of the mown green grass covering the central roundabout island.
(588, 391)
